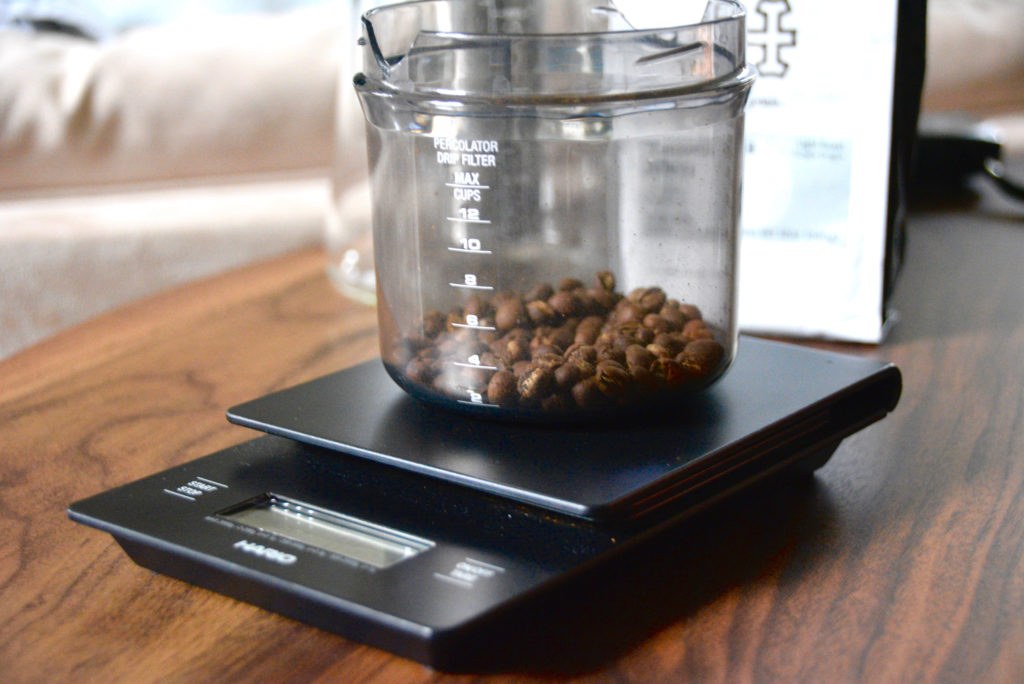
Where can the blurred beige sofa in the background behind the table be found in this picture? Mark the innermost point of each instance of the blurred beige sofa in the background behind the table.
(170, 153)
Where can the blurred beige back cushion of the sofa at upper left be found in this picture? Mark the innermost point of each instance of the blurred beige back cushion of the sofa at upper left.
(232, 95)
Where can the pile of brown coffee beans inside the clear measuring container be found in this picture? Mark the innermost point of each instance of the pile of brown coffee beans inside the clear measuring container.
(563, 349)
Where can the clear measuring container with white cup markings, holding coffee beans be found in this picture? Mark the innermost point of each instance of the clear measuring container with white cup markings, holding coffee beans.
(556, 200)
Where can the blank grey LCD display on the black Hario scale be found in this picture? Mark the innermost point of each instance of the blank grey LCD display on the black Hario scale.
(329, 531)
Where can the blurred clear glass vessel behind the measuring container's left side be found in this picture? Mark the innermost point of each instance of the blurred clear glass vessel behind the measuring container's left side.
(350, 238)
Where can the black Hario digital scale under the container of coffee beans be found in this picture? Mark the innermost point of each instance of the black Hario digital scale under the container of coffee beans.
(373, 516)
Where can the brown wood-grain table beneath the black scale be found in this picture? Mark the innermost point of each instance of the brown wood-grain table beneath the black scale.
(904, 561)
